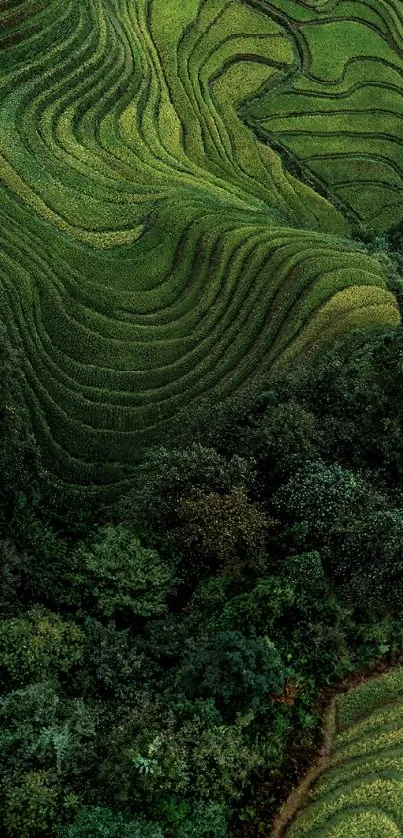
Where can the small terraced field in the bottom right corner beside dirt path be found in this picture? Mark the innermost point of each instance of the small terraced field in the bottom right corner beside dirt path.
(360, 794)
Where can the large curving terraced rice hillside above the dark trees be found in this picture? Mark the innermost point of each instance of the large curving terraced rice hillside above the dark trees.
(155, 246)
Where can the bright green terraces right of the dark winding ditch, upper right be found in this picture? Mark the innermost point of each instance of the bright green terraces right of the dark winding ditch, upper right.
(341, 115)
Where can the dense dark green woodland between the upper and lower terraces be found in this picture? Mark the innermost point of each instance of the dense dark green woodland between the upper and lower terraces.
(158, 657)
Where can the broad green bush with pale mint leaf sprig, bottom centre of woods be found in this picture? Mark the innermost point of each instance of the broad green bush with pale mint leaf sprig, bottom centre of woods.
(174, 749)
